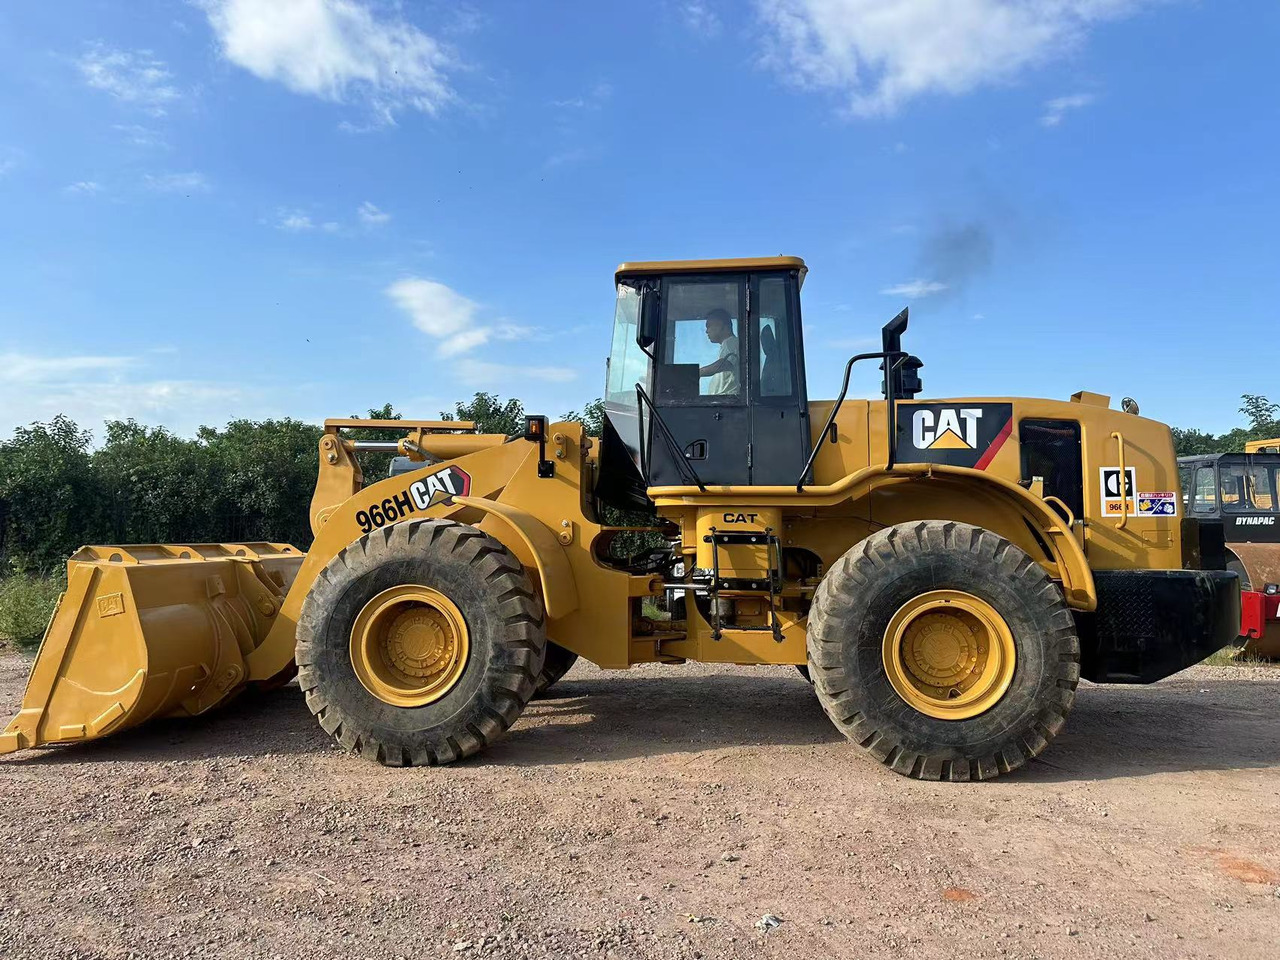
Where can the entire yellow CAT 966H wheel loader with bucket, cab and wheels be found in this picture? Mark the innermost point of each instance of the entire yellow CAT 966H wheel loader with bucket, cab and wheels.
(947, 570)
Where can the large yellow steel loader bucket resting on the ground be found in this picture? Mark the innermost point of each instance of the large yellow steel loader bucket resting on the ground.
(149, 632)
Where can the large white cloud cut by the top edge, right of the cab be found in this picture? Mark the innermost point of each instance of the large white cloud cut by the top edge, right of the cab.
(881, 54)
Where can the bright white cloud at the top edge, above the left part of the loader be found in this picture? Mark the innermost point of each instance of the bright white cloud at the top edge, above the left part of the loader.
(337, 51)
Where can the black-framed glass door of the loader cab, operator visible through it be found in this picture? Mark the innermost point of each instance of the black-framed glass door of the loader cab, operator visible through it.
(701, 383)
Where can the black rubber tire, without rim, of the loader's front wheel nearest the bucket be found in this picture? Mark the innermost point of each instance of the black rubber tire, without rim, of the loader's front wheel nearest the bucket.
(505, 643)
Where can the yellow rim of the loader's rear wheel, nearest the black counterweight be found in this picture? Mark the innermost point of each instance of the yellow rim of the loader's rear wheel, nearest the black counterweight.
(949, 655)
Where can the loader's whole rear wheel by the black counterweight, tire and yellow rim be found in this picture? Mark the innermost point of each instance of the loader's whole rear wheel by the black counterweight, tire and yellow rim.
(944, 651)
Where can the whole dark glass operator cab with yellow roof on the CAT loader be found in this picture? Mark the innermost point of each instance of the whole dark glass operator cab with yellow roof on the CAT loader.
(706, 377)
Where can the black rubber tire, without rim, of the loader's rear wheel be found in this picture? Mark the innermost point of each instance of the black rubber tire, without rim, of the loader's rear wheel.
(851, 630)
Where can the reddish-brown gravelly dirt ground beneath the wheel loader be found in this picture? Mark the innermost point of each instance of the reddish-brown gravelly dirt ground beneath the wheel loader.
(659, 813)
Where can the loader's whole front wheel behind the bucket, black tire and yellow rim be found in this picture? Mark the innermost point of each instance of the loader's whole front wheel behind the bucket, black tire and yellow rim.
(420, 643)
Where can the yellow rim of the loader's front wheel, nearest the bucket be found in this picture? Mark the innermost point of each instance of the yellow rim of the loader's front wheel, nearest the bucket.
(410, 646)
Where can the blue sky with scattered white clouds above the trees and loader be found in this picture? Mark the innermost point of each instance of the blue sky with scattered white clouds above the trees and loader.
(308, 208)
